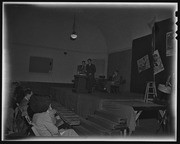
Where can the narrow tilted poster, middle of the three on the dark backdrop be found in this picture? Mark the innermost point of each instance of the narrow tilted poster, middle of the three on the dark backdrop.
(158, 65)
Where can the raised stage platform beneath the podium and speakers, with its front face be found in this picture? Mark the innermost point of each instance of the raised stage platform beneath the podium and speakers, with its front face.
(85, 104)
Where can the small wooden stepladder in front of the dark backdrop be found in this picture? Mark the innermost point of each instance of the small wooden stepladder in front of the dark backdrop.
(150, 92)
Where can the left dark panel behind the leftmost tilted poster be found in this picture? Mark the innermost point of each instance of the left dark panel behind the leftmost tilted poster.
(140, 48)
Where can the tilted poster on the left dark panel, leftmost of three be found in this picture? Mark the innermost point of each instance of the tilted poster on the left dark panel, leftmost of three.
(143, 63)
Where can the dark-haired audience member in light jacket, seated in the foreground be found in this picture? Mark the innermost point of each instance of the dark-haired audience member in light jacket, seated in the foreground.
(45, 122)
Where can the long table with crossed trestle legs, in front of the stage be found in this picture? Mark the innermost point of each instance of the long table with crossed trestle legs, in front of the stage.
(138, 106)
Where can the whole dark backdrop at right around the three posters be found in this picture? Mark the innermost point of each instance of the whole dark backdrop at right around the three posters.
(141, 47)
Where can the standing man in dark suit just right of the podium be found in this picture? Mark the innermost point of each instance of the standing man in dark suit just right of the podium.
(90, 70)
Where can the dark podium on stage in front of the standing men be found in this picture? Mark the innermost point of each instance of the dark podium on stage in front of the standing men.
(80, 83)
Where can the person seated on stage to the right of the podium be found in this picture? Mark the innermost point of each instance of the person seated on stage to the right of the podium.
(114, 81)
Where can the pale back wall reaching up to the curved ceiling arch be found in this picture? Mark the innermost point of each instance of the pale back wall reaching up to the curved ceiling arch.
(47, 34)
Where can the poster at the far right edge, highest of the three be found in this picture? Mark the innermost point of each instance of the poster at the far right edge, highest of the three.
(170, 39)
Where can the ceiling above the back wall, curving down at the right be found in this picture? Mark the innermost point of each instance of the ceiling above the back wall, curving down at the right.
(116, 21)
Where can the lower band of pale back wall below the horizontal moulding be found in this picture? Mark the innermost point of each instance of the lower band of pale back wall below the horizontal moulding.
(64, 66)
